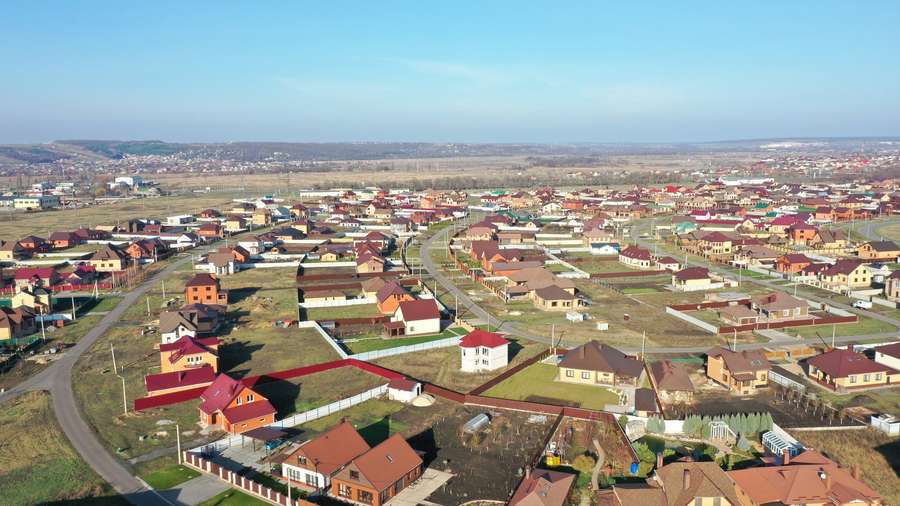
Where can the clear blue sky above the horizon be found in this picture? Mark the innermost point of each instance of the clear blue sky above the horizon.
(448, 71)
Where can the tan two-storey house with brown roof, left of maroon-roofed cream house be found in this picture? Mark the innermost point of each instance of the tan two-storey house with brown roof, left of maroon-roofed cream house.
(741, 371)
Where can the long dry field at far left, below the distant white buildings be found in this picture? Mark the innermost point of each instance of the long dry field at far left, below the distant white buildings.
(15, 225)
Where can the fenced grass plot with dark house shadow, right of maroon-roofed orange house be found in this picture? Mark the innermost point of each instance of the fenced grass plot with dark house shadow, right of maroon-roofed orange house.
(307, 392)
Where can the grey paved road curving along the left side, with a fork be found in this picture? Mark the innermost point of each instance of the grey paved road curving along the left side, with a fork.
(57, 379)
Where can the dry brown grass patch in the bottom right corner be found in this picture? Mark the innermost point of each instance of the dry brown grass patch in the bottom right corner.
(877, 454)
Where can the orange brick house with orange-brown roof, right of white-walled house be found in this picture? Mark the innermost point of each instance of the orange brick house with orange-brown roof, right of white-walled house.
(379, 474)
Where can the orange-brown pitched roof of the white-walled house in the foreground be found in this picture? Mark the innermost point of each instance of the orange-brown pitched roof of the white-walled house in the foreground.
(332, 450)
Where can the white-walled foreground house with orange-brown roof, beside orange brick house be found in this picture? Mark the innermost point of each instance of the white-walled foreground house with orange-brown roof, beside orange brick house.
(315, 461)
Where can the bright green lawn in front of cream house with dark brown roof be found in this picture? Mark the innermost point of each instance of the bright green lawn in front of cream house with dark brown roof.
(538, 382)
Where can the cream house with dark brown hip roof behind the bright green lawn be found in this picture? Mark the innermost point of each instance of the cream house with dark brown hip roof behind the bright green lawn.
(594, 363)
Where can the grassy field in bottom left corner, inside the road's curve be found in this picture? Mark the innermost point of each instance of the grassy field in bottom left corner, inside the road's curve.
(37, 464)
